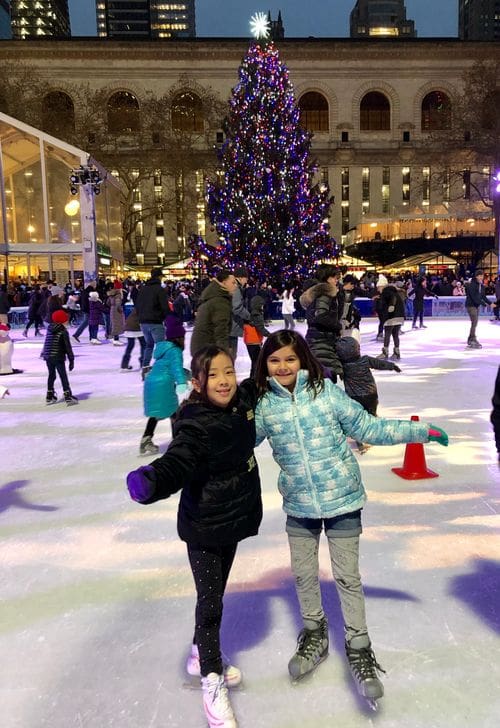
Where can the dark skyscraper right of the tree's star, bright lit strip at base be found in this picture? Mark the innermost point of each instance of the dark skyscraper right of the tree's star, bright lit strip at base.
(372, 18)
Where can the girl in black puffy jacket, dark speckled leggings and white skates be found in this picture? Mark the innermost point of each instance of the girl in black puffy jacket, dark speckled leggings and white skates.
(211, 459)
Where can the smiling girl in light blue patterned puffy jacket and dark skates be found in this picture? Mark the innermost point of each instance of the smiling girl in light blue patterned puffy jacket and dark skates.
(307, 420)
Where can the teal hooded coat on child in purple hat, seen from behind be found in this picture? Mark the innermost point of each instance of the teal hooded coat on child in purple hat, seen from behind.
(160, 399)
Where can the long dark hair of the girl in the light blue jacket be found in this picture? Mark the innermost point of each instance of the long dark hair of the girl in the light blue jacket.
(308, 361)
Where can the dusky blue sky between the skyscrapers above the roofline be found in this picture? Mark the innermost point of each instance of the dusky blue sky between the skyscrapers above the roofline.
(320, 18)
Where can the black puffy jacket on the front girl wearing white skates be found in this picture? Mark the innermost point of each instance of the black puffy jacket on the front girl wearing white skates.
(211, 459)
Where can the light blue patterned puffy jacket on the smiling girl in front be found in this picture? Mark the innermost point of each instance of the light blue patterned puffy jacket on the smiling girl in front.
(320, 476)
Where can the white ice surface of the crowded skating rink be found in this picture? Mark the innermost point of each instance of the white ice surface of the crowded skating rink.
(96, 609)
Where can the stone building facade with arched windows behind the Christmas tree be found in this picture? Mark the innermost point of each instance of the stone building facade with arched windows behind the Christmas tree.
(375, 108)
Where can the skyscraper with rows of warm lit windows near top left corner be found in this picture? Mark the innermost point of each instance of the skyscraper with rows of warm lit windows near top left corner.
(40, 19)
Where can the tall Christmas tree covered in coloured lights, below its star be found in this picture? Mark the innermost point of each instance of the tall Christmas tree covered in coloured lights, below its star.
(269, 213)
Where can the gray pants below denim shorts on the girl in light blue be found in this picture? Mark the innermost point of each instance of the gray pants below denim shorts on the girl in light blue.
(344, 557)
